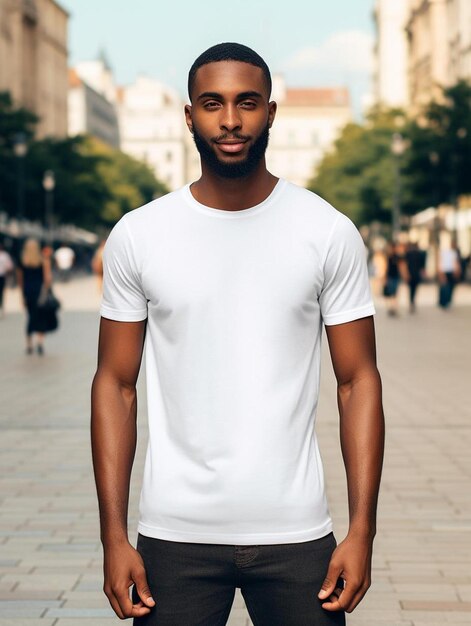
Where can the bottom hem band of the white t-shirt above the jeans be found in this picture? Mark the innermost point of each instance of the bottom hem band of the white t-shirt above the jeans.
(156, 532)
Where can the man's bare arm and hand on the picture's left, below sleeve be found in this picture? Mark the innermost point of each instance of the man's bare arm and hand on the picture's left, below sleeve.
(113, 437)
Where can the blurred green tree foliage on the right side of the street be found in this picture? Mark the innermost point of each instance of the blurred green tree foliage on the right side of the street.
(359, 175)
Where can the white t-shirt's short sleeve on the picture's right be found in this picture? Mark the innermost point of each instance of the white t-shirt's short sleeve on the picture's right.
(346, 293)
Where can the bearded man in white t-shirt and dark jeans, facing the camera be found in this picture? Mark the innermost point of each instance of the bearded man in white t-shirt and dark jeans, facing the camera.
(231, 278)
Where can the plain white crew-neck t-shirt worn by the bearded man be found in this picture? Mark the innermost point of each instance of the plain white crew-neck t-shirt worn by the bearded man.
(234, 302)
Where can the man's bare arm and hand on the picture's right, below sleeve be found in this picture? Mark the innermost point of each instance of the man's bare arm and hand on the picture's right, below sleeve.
(353, 352)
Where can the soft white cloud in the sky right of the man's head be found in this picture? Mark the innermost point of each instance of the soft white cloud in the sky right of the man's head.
(347, 51)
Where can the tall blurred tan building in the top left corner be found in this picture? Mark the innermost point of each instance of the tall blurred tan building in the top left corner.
(33, 53)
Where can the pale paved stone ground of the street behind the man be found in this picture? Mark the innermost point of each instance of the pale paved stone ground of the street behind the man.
(50, 554)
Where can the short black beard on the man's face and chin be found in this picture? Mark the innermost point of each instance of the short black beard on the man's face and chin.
(239, 169)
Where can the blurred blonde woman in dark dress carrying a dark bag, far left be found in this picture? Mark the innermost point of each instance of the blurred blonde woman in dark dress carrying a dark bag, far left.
(33, 273)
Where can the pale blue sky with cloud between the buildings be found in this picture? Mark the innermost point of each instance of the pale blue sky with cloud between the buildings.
(313, 43)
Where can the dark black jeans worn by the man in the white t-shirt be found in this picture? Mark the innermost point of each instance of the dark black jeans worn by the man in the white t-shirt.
(193, 584)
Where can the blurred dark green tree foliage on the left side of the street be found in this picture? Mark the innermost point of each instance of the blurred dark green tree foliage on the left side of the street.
(95, 184)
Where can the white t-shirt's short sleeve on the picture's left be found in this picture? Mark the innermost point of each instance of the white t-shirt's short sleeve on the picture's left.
(123, 296)
